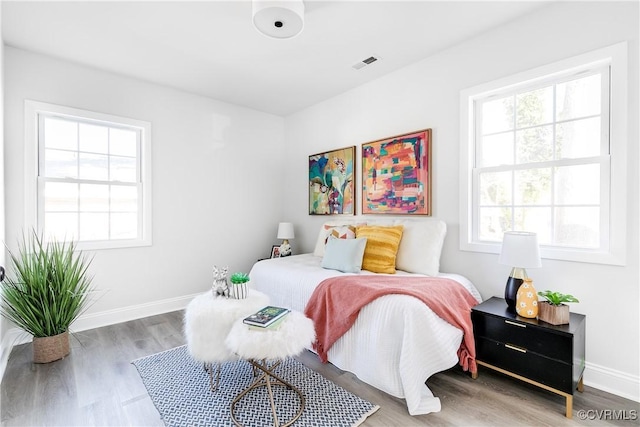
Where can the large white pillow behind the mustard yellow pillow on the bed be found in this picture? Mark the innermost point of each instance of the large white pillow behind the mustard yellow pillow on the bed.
(421, 245)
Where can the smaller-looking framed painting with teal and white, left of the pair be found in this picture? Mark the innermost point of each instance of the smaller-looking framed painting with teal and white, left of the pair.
(331, 182)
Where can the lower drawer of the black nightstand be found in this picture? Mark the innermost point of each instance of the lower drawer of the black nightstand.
(550, 372)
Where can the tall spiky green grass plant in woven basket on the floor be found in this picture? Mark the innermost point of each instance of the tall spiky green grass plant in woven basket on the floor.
(48, 288)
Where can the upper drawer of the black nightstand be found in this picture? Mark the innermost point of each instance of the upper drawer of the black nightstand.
(526, 335)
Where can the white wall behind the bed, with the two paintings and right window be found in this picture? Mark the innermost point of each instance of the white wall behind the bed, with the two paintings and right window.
(426, 95)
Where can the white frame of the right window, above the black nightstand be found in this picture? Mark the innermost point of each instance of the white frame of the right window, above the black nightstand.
(614, 251)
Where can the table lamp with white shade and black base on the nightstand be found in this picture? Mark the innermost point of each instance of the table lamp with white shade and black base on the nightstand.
(519, 250)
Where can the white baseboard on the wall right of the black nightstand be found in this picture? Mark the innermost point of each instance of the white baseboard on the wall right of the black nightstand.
(612, 381)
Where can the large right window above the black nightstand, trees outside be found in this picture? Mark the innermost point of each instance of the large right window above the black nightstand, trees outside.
(545, 154)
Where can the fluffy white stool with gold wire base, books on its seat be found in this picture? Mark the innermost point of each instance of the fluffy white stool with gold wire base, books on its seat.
(265, 350)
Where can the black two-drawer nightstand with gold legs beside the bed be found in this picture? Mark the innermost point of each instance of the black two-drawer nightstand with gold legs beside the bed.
(548, 356)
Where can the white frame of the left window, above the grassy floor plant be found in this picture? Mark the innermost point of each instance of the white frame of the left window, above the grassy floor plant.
(33, 111)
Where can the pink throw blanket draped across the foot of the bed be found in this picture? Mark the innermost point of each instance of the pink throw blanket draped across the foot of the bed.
(336, 302)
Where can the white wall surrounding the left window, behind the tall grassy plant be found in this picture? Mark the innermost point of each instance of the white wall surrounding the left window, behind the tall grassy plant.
(216, 186)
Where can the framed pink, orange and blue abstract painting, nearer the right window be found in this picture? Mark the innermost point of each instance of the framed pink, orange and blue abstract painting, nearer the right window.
(396, 175)
